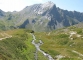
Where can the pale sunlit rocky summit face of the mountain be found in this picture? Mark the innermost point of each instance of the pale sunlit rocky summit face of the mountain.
(45, 7)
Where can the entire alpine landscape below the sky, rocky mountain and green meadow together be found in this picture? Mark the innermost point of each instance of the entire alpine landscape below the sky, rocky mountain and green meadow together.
(41, 32)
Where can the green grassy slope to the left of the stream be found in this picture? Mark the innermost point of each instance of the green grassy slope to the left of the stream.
(19, 47)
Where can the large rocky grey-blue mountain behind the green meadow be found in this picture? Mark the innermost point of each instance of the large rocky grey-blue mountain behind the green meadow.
(40, 17)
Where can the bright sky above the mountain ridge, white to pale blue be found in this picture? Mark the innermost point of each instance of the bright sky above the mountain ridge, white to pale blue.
(17, 5)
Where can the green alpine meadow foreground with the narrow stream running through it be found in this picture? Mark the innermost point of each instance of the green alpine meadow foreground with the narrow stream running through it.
(60, 44)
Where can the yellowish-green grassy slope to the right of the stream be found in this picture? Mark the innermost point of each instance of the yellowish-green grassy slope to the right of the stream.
(59, 43)
